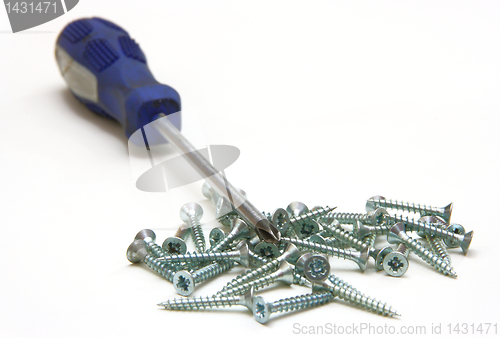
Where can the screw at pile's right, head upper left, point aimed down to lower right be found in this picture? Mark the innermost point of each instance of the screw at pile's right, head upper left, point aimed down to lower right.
(397, 235)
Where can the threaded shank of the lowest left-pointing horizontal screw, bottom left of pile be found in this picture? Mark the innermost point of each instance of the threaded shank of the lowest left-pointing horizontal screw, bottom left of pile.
(199, 303)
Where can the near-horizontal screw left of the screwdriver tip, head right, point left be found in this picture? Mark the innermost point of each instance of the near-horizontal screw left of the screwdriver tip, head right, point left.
(240, 255)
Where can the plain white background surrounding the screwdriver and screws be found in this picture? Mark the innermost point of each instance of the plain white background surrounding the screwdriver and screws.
(330, 102)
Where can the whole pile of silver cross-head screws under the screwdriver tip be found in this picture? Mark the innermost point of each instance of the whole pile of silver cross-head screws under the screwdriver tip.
(308, 238)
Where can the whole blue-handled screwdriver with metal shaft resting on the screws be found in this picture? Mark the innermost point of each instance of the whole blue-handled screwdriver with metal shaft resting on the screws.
(107, 71)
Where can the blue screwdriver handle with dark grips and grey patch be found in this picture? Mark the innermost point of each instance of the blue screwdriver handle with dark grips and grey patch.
(107, 71)
